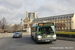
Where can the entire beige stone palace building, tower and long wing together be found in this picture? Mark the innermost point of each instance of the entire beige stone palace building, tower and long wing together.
(63, 22)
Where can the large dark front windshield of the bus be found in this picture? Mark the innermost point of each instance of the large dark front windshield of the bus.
(47, 30)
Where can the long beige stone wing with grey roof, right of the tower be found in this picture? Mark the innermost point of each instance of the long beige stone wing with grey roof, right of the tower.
(63, 22)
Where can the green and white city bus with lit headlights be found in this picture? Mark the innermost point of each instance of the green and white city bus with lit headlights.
(43, 32)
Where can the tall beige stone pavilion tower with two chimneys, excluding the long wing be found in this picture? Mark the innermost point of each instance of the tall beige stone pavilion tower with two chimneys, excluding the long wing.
(28, 21)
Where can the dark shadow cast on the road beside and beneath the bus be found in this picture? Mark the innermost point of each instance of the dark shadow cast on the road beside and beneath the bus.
(28, 40)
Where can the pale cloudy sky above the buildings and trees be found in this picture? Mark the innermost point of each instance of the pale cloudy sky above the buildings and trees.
(14, 10)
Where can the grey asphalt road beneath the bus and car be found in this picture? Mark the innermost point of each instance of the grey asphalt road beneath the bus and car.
(26, 43)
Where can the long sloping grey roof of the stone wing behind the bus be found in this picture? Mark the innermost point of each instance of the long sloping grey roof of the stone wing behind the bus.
(53, 17)
